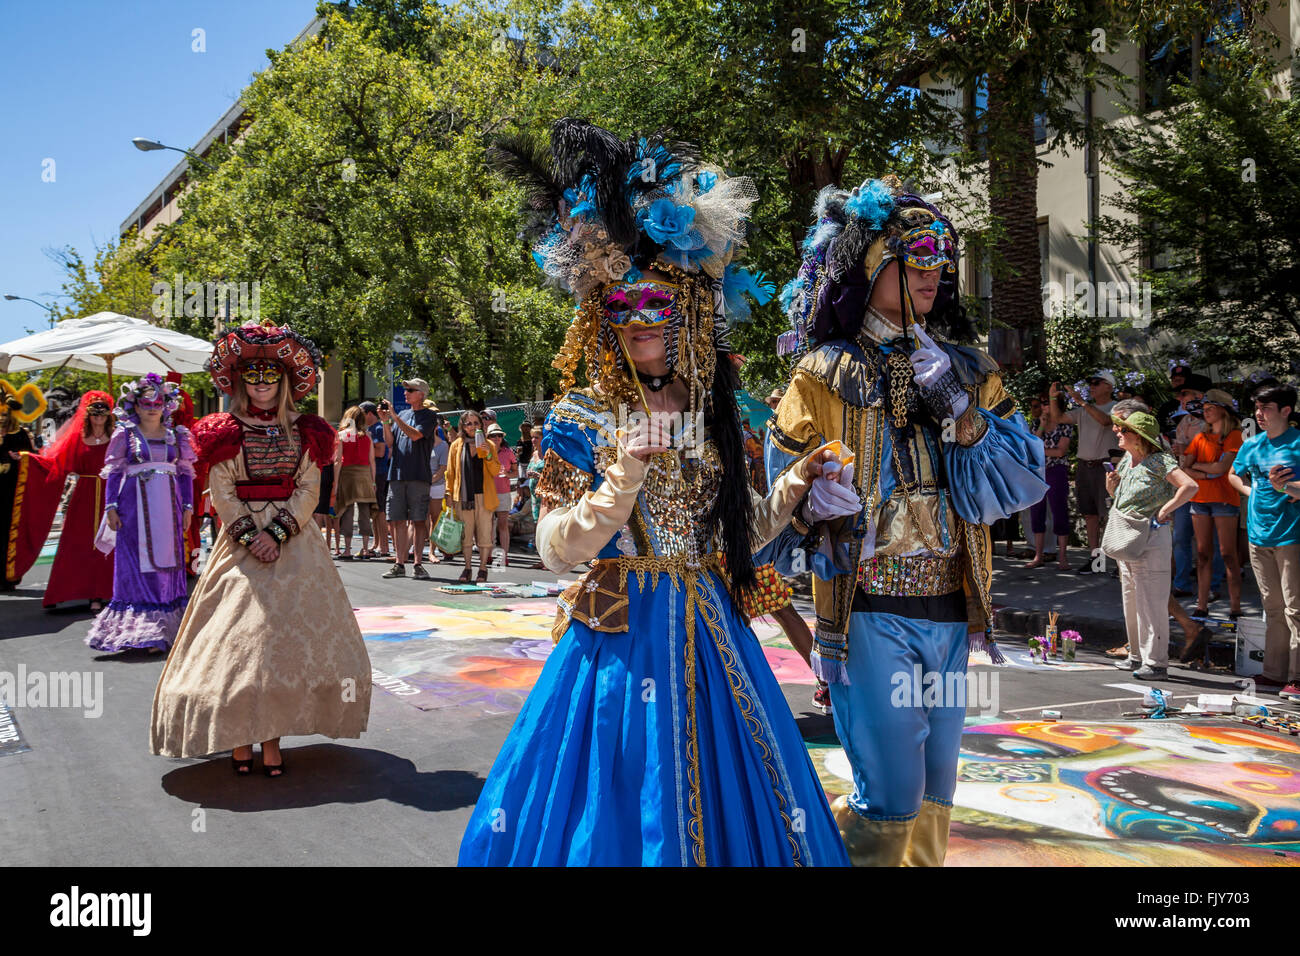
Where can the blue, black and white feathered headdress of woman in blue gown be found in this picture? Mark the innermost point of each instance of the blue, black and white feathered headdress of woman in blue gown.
(601, 209)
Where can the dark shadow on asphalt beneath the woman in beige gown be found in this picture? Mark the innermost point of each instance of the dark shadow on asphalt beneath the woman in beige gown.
(323, 775)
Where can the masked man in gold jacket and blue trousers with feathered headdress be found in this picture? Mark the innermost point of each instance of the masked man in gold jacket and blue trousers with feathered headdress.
(938, 452)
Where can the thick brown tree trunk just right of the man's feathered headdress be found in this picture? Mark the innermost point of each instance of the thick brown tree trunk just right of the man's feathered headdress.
(1013, 205)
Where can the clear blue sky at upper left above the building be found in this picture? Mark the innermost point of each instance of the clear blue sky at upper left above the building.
(81, 79)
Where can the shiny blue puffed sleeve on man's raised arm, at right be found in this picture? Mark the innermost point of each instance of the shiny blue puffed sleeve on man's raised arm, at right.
(999, 475)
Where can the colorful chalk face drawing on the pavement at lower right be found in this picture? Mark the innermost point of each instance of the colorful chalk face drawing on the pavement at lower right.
(1121, 794)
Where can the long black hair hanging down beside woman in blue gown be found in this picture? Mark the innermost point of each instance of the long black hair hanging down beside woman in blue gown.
(733, 512)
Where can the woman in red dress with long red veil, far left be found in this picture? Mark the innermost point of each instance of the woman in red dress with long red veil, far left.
(80, 572)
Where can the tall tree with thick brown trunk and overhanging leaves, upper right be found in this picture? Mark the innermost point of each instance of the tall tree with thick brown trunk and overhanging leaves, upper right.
(1042, 63)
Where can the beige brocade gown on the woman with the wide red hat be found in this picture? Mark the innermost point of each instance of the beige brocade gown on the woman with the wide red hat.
(266, 650)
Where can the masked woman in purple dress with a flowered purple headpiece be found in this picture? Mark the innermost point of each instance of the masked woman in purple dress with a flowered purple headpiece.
(150, 471)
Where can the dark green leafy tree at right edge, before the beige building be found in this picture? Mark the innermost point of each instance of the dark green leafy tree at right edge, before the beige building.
(1212, 194)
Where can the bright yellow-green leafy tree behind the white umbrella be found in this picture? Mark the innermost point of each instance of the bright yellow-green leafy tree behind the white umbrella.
(359, 200)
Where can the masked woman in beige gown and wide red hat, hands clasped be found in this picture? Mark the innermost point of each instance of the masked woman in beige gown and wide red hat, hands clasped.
(270, 646)
